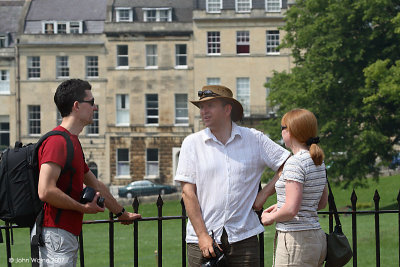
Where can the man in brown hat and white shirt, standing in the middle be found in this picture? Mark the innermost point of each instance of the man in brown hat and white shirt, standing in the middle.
(219, 169)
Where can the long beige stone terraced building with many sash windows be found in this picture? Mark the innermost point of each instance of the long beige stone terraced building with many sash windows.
(145, 60)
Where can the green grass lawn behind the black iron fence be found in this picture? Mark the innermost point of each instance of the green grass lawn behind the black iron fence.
(96, 236)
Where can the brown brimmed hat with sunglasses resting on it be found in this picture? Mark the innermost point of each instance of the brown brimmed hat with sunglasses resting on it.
(210, 92)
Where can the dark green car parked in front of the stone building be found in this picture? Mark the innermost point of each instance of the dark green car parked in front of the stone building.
(145, 188)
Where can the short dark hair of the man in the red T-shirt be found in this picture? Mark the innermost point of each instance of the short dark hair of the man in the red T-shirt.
(68, 92)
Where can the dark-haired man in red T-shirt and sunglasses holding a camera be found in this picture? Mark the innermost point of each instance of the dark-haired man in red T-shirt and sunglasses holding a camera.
(60, 189)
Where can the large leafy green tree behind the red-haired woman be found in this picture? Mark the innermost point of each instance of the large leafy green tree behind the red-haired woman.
(347, 71)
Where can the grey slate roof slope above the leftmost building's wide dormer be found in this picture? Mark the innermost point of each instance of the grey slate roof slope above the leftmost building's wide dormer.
(67, 10)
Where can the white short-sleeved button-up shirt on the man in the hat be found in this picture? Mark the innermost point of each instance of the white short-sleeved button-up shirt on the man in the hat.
(227, 178)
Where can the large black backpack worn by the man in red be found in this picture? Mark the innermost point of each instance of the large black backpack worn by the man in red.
(19, 177)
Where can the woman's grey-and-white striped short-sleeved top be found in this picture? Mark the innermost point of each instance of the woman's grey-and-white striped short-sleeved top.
(301, 168)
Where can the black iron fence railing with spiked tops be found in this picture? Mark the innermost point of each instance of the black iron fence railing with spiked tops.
(183, 218)
